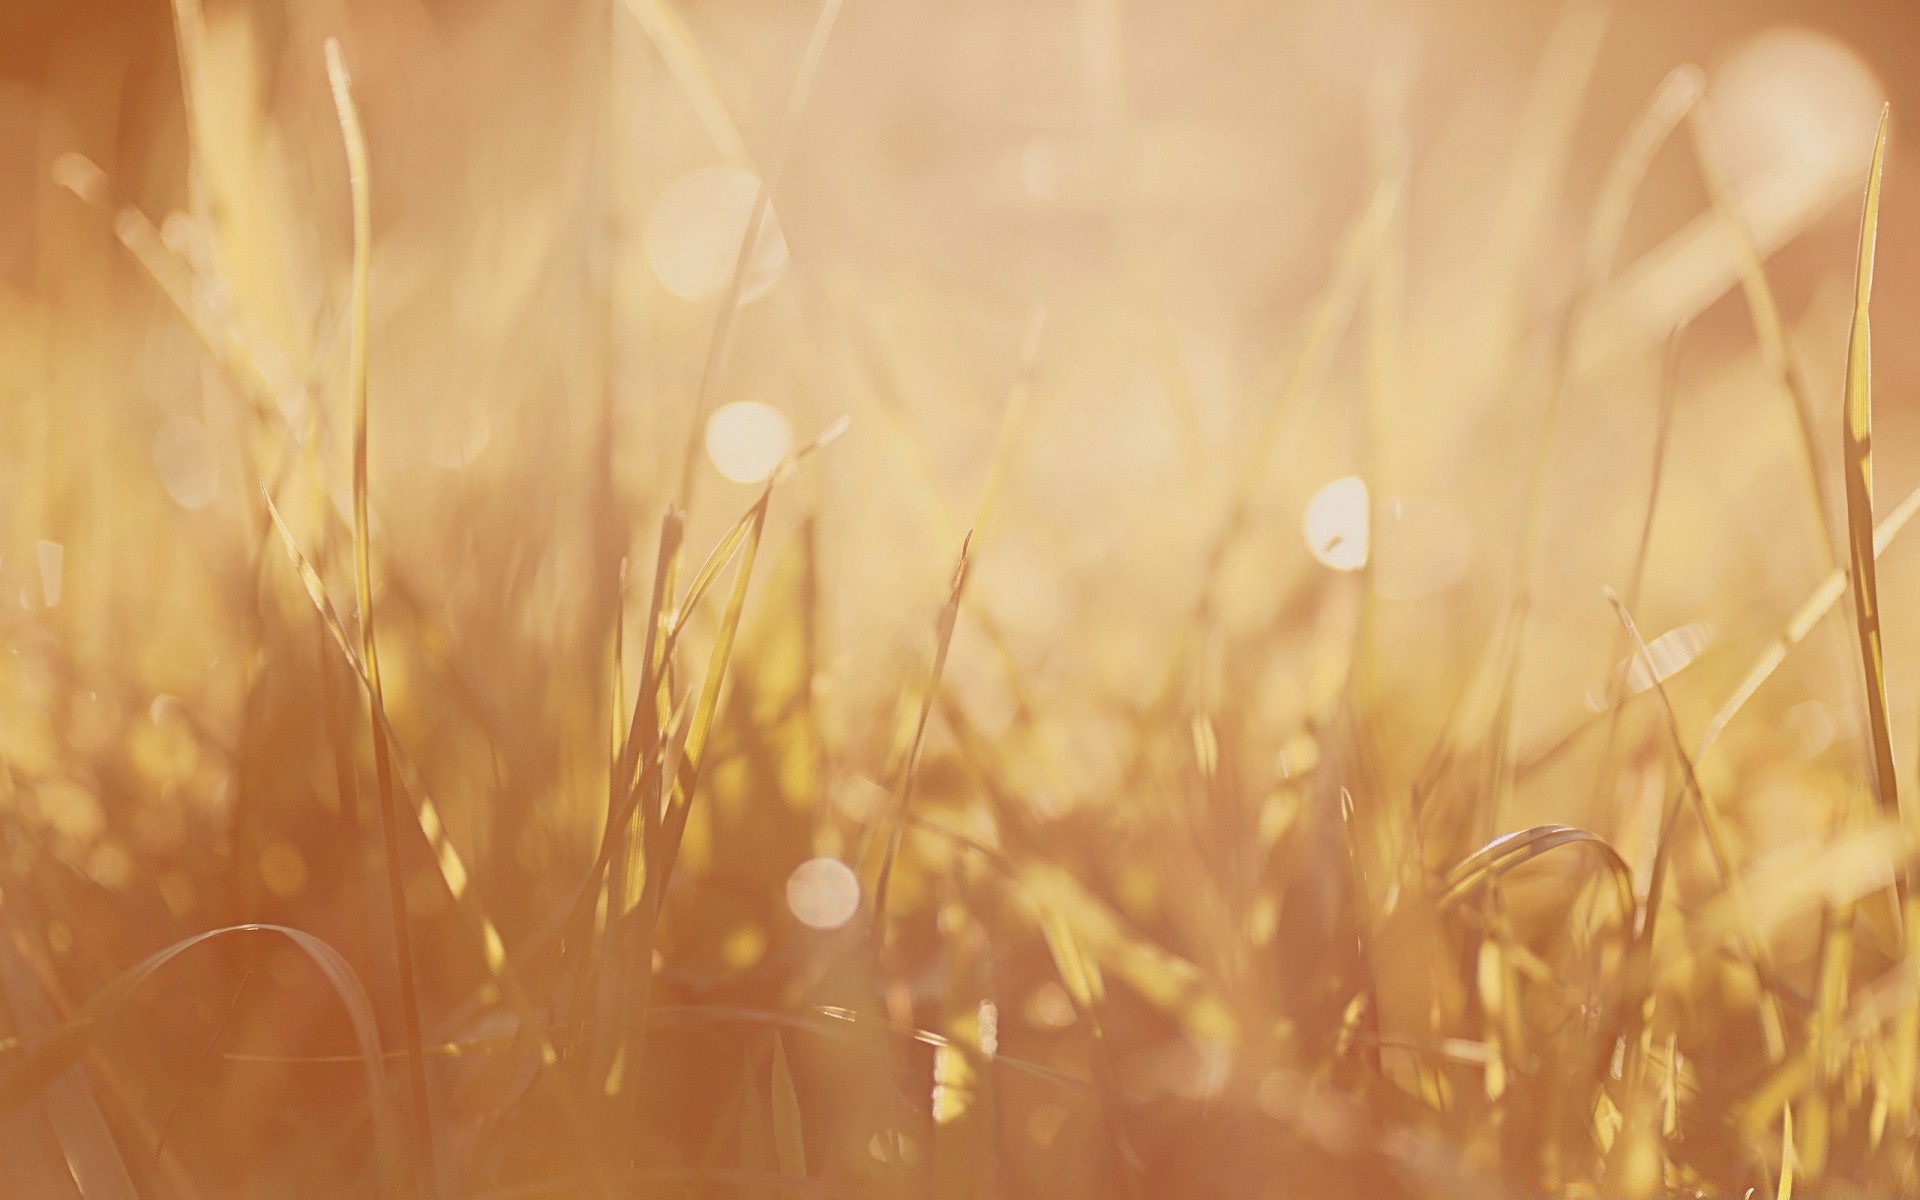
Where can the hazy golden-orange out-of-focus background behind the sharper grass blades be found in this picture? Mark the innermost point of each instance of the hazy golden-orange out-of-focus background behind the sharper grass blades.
(1063, 254)
